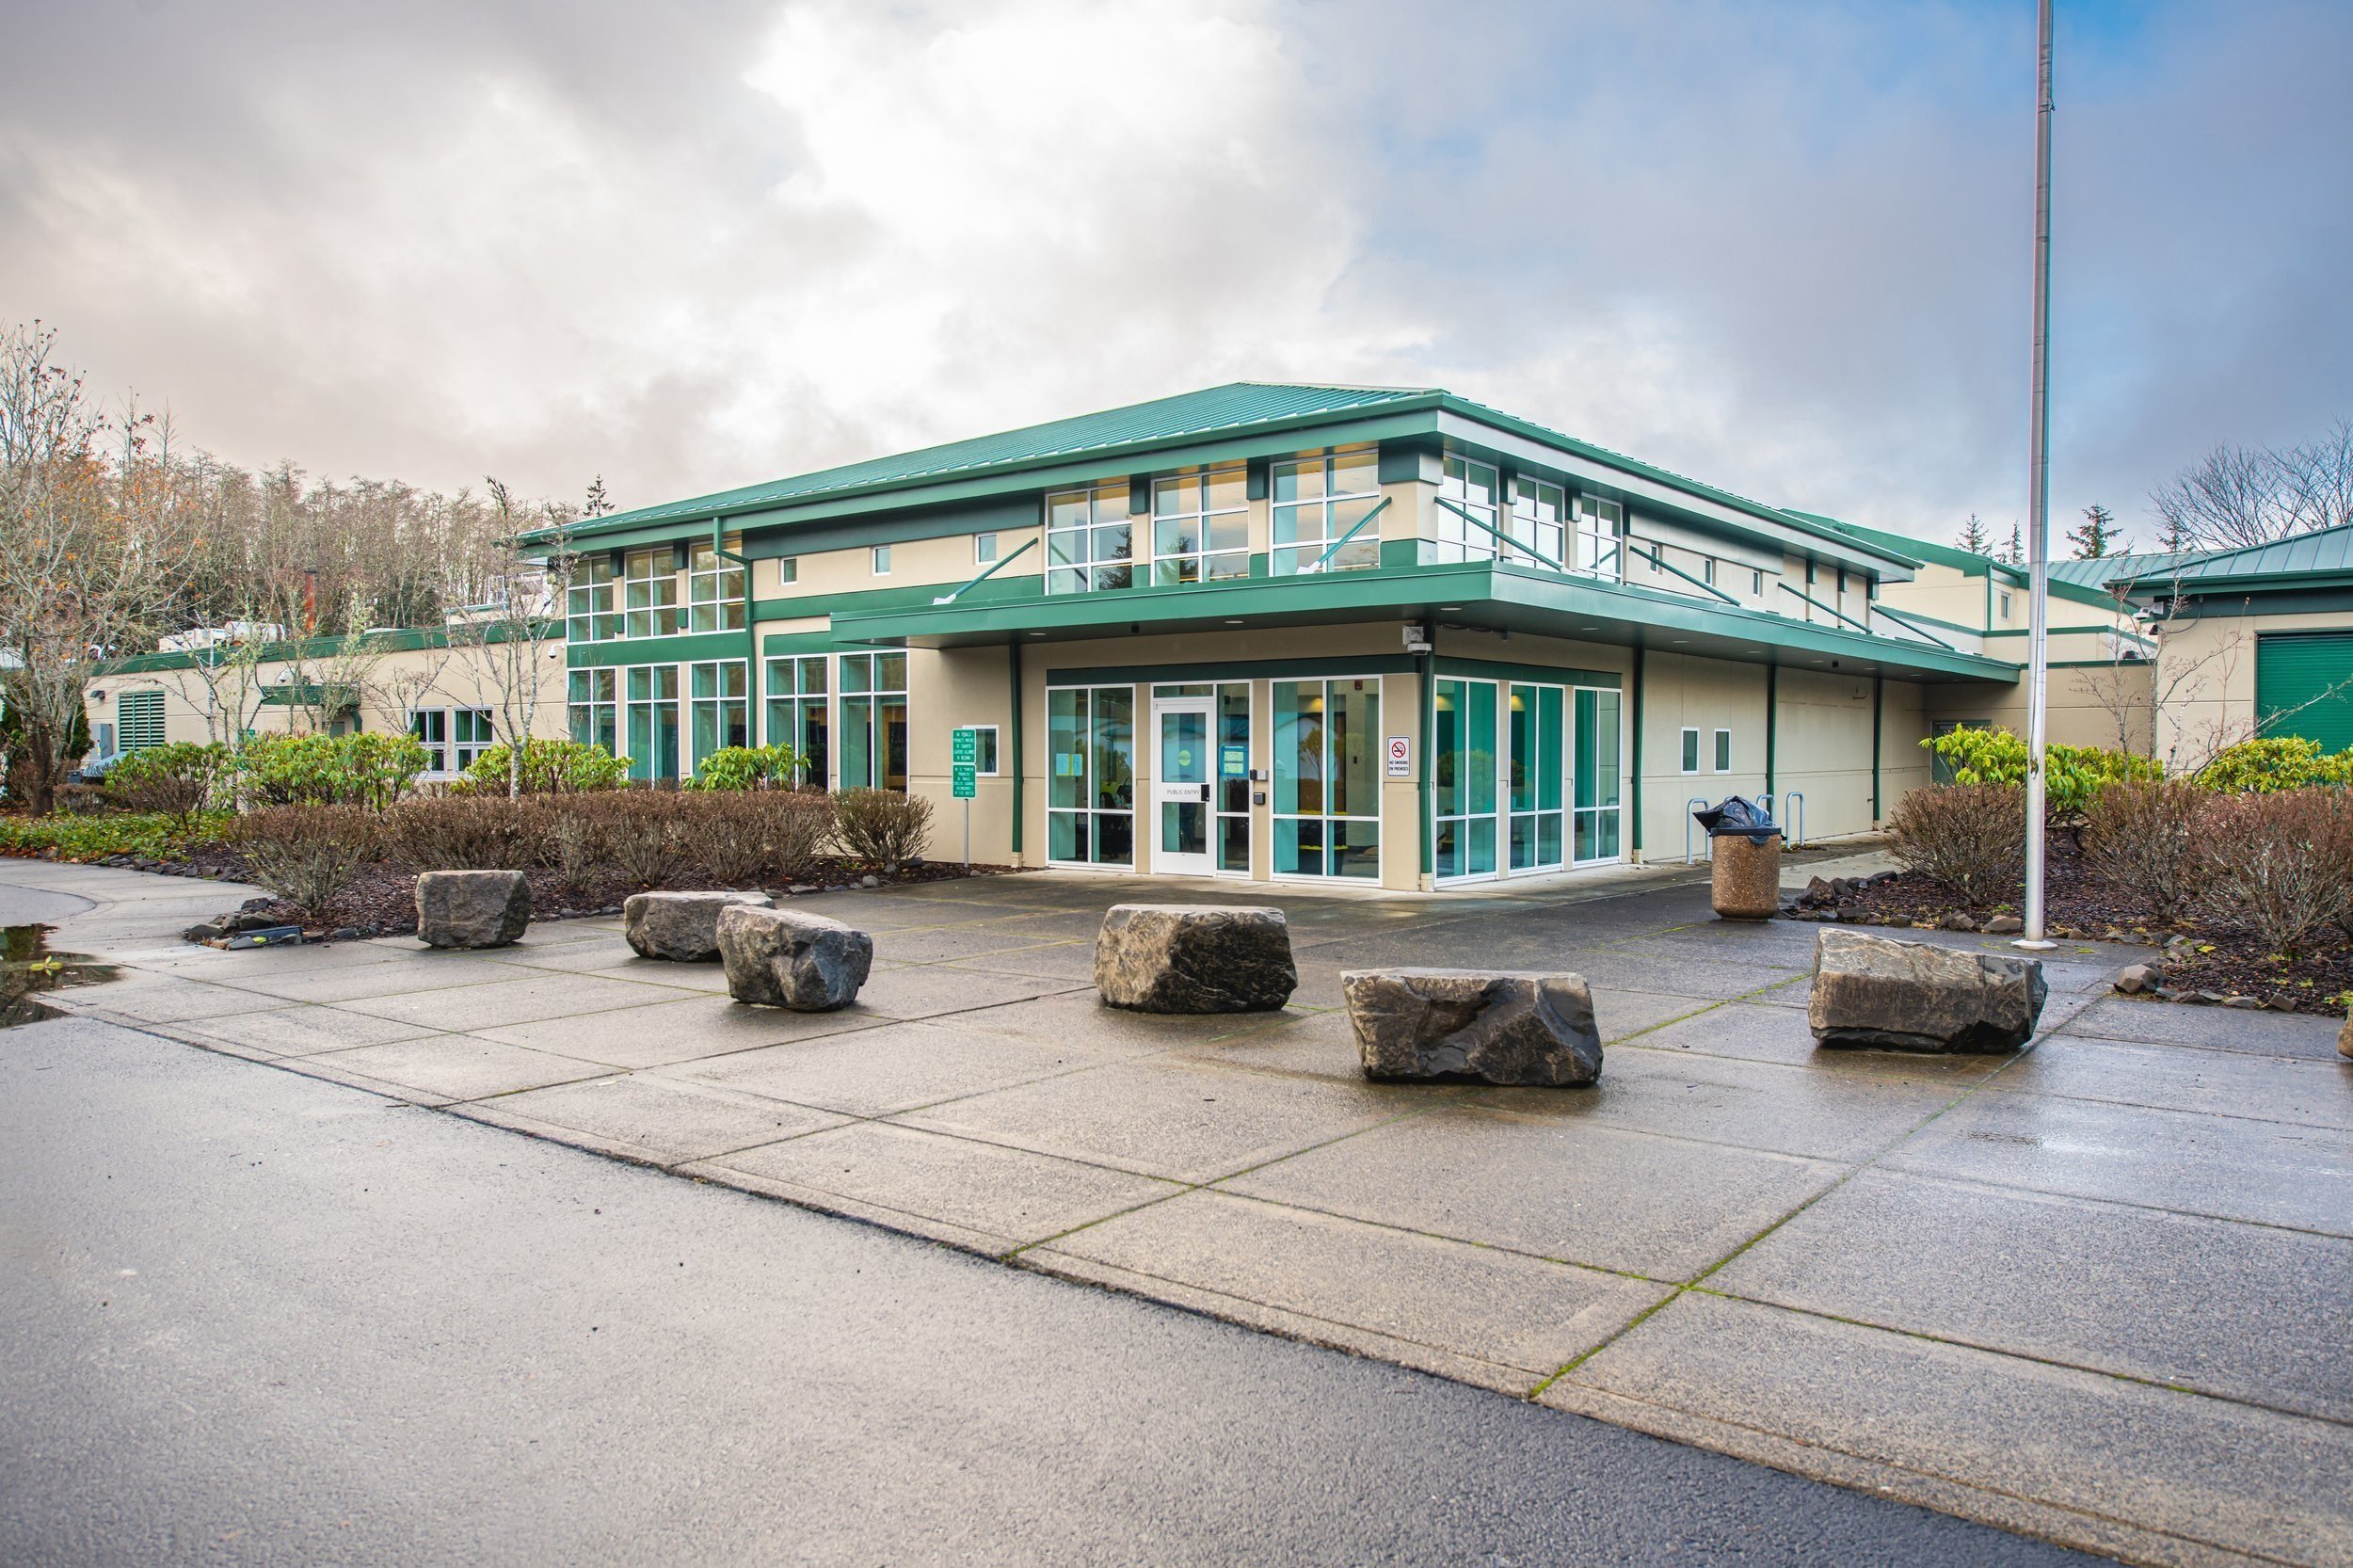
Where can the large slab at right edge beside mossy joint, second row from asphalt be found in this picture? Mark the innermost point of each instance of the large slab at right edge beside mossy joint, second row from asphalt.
(2237, 1310)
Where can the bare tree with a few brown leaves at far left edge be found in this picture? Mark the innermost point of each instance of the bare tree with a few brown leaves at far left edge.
(93, 550)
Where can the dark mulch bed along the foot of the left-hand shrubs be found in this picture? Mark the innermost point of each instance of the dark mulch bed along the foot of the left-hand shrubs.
(385, 903)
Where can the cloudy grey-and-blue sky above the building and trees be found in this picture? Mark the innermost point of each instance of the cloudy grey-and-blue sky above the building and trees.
(1782, 246)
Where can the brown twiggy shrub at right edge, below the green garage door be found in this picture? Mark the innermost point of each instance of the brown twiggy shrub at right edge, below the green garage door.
(2279, 865)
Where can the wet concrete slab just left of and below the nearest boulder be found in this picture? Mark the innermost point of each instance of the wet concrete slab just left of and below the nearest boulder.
(1175, 1117)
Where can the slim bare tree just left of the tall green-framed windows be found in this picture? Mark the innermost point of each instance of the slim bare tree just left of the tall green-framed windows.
(516, 630)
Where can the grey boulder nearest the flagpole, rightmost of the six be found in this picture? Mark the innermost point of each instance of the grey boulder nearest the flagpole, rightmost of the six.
(1886, 995)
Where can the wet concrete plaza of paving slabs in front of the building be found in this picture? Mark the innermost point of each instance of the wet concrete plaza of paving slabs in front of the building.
(2091, 1294)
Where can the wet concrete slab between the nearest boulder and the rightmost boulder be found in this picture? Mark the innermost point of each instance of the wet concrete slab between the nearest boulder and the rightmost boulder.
(1754, 1105)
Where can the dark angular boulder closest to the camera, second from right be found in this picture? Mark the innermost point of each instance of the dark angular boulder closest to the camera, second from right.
(1500, 1028)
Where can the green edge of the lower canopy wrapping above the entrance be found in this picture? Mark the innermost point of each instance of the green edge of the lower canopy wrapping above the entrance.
(1493, 597)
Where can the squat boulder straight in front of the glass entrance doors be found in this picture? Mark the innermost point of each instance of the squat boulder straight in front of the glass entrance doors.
(1194, 959)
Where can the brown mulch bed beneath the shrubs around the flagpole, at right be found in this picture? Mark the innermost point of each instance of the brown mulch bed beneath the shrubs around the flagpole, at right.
(2204, 962)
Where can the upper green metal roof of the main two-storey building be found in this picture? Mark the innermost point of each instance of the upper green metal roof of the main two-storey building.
(1241, 408)
